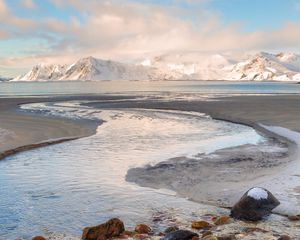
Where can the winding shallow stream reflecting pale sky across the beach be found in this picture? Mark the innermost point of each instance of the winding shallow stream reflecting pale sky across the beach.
(75, 184)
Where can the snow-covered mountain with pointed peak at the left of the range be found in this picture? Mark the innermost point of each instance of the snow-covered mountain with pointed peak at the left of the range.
(94, 69)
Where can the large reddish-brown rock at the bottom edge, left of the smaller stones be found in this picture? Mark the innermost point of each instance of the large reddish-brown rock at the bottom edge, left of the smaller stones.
(112, 228)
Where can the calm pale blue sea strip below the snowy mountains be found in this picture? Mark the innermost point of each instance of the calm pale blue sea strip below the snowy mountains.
(204, 87)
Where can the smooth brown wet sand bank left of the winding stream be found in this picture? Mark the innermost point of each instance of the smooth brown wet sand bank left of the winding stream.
(26, 131)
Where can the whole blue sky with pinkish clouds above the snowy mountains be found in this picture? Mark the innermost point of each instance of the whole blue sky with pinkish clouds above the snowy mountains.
(62, 31)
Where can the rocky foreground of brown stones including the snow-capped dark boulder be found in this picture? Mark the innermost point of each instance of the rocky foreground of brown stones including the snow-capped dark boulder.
(247, 221)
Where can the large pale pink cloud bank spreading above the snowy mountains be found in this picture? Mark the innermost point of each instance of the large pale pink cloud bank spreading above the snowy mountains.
(116, 29)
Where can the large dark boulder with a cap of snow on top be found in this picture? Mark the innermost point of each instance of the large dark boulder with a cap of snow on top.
(255, 204)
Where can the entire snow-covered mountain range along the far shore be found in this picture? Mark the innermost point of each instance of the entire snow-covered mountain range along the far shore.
(177, 66)
